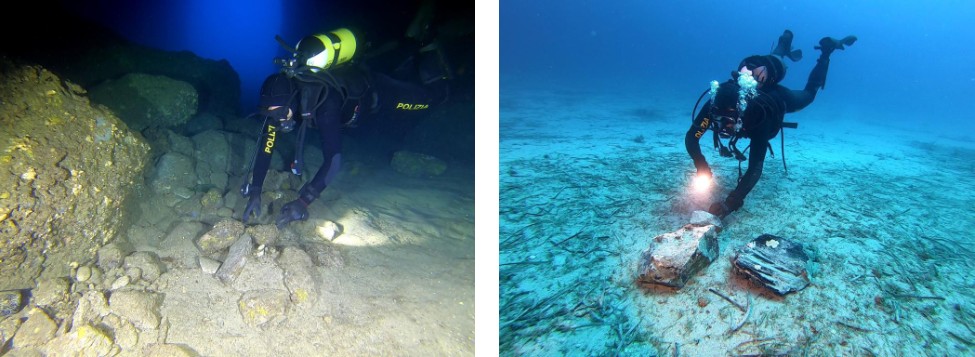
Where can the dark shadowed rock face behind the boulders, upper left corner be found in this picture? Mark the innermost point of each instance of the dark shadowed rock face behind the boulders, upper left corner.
(95, 54)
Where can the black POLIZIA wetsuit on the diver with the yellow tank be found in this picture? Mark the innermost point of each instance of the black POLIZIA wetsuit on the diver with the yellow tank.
(325, 103)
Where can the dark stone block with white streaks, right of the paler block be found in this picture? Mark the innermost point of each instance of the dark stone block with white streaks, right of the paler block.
(773, 262)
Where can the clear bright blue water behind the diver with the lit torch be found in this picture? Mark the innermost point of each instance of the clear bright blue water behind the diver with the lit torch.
(910, 64)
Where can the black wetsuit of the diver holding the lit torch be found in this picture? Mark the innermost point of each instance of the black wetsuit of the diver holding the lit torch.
(761, 122)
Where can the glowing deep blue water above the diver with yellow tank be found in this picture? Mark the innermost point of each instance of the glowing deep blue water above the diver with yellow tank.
(243, 32)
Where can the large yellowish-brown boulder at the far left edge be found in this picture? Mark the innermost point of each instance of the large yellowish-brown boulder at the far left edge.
(67, 170)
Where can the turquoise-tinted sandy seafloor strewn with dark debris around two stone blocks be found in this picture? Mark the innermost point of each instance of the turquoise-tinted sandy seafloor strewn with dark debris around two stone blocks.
(589, 177)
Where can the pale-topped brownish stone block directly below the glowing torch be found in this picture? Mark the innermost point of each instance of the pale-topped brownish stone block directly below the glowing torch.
(673, 258)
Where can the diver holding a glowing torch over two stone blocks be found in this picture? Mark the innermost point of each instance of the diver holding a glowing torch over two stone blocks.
(753, 105)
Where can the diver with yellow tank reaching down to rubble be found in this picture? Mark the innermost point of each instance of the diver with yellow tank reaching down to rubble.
(324, 89)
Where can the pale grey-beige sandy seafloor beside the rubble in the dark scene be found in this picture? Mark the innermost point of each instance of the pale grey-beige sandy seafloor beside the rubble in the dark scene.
(405, 285)
